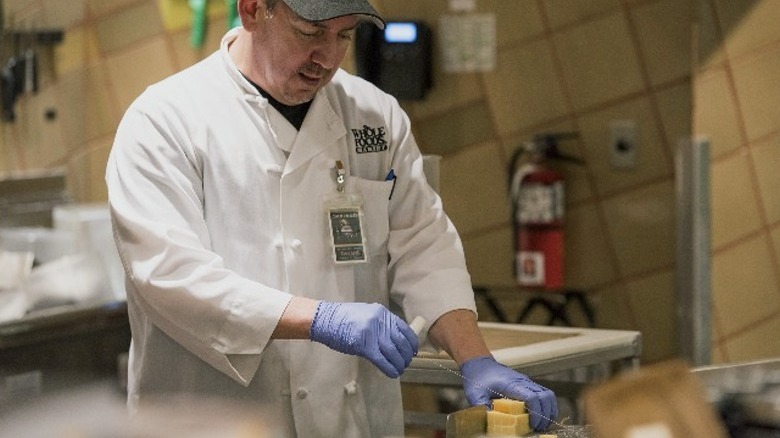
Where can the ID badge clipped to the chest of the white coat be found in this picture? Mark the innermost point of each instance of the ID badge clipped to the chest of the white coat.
(345, 221)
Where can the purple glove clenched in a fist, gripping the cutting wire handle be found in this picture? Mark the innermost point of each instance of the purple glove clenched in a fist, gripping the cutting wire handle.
(367, 330)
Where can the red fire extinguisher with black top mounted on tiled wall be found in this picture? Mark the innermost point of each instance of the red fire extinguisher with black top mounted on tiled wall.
(537, 201)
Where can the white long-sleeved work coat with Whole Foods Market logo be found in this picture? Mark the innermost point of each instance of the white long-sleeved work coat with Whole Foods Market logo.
(218, 229)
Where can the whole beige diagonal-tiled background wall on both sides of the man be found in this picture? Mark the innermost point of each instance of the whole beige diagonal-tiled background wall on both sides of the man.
(562, 65)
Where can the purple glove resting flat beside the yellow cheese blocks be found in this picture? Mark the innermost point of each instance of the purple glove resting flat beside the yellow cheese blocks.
(485, 379)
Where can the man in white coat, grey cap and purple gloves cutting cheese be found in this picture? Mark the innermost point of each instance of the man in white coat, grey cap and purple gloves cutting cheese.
(230, 184)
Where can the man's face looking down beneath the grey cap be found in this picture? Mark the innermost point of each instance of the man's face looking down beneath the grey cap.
(298, 56)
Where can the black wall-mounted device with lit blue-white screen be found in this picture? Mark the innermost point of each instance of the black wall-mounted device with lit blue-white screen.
(397, 59)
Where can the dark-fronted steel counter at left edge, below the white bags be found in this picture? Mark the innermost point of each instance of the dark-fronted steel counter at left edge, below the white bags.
(62, 347)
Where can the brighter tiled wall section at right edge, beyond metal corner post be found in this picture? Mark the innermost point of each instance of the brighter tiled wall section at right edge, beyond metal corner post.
(736, 101)
